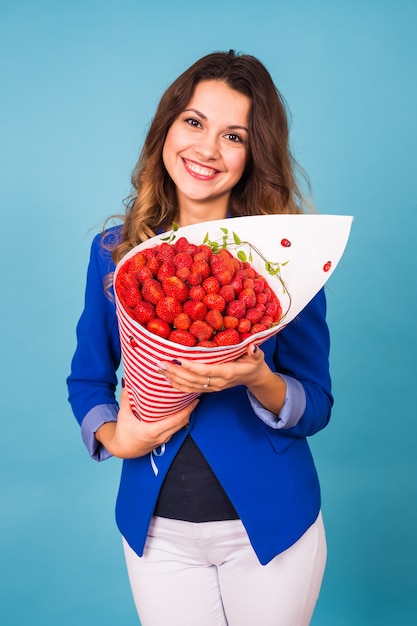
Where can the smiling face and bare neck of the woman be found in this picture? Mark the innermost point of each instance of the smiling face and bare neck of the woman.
(206, 150)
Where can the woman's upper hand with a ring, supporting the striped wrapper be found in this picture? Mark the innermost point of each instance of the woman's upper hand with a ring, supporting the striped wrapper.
(191, 376)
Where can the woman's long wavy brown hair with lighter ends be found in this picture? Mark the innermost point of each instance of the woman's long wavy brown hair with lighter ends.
(269, 183)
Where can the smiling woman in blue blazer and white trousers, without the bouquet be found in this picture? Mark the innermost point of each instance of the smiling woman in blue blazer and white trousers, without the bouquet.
(228, 529)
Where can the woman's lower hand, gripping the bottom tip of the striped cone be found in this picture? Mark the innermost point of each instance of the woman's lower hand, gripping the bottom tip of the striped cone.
(129, 438)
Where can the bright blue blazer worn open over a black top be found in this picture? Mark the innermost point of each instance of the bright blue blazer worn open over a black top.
(268, 474)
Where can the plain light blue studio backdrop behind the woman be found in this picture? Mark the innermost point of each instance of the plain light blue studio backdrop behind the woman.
(80, 82)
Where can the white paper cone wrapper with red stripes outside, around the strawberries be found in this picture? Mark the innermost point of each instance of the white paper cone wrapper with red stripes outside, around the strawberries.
(305, 248)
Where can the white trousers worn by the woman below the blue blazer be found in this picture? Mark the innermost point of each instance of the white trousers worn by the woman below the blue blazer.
(207, 574)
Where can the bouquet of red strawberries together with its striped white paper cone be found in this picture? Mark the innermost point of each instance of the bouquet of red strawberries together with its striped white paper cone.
(204, 292)
